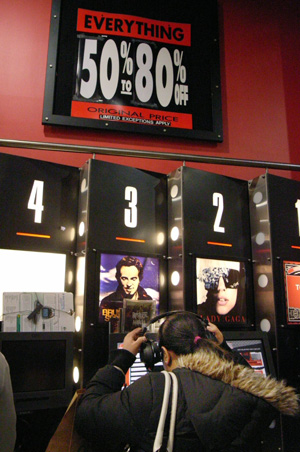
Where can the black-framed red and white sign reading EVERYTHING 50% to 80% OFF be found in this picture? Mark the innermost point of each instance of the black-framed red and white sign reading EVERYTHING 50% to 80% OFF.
(142, 67)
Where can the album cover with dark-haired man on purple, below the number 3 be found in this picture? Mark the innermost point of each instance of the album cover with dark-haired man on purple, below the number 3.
(127, 277)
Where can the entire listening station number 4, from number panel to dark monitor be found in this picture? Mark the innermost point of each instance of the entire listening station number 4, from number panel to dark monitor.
(38, 208)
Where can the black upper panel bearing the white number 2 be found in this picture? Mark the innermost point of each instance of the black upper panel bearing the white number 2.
(214, 212)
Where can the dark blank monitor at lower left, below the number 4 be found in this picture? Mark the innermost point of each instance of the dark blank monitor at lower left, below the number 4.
(41, 367)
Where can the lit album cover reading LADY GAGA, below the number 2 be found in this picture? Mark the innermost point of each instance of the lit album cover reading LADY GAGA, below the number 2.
(221, 291)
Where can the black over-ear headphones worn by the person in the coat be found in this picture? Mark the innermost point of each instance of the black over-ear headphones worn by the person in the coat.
(150, 351)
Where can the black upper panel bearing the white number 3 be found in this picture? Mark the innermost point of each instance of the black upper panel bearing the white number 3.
(127, 208)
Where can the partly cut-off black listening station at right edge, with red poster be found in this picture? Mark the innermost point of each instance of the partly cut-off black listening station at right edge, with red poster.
(275, 230)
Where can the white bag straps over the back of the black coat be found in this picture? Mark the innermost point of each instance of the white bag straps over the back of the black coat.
(163, 414)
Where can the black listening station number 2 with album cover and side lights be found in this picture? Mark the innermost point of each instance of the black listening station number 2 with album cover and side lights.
(210, 247)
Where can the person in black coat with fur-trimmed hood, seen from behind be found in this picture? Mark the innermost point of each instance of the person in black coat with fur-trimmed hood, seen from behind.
(222, 405)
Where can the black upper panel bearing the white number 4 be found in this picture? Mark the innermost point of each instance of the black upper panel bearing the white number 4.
(38, 204)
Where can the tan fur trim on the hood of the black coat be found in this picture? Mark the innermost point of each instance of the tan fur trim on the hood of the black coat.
(282, 397)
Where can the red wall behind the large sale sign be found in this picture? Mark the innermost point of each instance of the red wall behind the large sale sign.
(260, 67)
